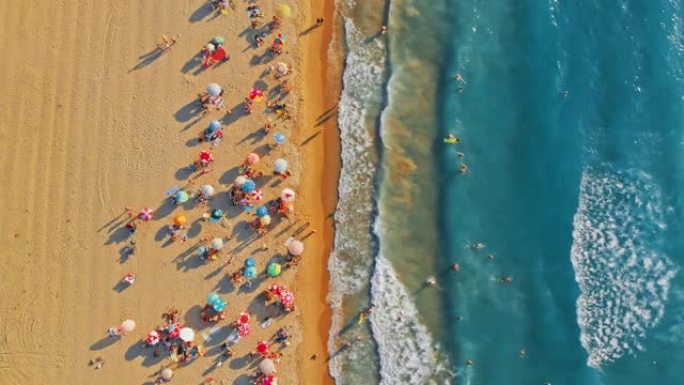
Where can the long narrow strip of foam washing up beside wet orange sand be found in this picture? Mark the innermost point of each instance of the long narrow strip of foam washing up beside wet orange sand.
(350, 262)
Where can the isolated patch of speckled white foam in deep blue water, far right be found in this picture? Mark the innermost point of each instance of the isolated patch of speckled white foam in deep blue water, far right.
(623, 275)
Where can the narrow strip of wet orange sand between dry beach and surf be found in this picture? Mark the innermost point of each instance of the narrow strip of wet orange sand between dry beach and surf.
(321, 90)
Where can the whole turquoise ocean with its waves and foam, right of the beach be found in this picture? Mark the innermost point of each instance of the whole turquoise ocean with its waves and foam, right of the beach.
(571, 118)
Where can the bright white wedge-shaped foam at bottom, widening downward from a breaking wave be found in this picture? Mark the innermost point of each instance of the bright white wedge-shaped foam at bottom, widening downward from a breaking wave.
(405, 346)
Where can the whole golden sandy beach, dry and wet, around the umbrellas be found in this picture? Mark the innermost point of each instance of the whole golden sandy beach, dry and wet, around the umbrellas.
(94, 119)
